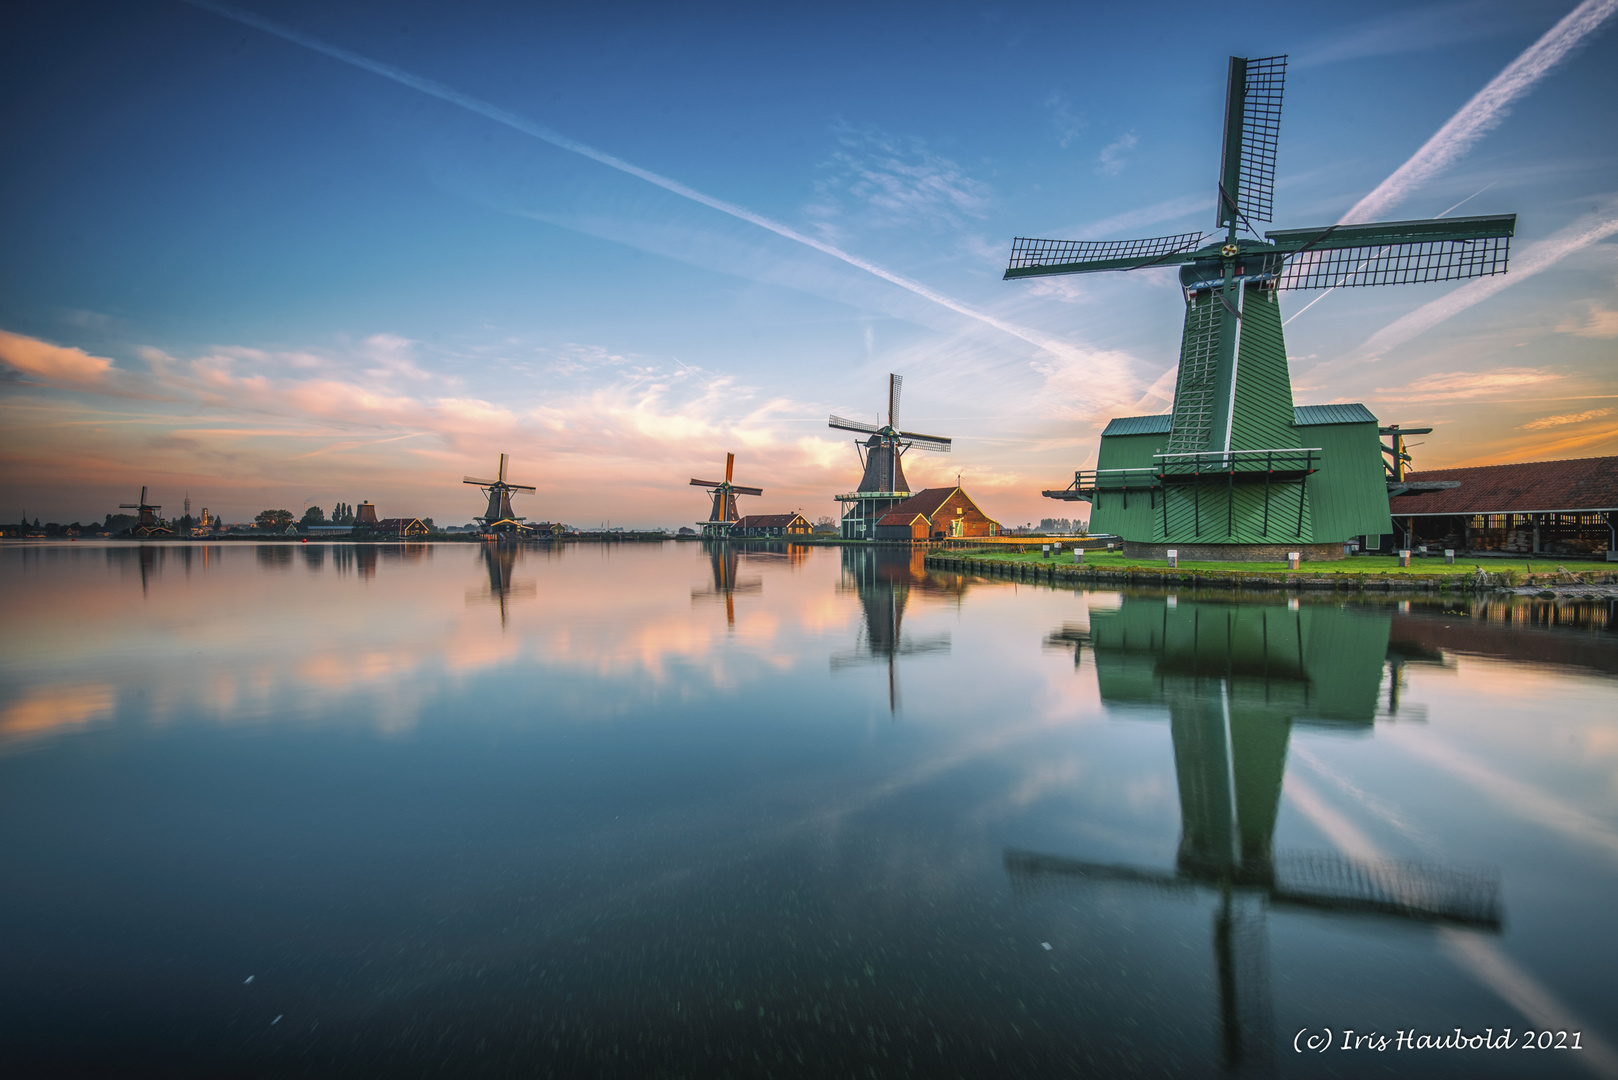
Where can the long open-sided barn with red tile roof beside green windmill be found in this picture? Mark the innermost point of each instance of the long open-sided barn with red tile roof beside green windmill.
(1528, 508)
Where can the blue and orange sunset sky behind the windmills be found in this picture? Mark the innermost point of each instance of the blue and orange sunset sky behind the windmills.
(245, 270)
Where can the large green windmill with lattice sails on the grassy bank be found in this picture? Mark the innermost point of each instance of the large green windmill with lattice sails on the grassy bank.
(1235, 470)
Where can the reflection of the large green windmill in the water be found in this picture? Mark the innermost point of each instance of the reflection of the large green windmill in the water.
(1235, 681)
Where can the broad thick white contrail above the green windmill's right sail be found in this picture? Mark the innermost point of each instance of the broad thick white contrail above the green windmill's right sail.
(1486, 109)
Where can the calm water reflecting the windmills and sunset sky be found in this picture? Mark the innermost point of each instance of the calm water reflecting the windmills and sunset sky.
(658, 810)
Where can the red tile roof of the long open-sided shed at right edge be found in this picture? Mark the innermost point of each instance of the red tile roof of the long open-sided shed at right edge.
(1577, 485)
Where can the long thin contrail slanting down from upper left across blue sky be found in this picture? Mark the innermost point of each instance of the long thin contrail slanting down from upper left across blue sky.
(556, 138)
